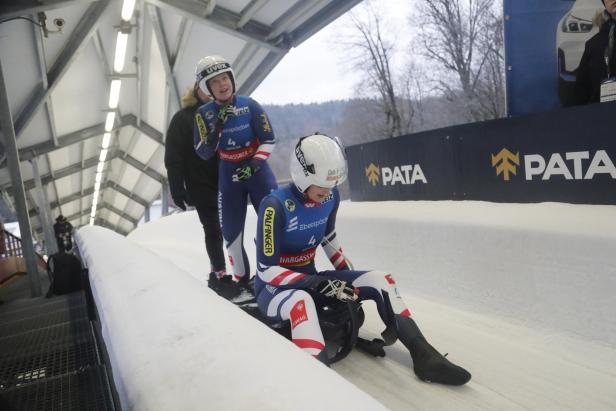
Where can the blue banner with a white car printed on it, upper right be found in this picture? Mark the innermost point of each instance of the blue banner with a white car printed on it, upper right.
(544, 41)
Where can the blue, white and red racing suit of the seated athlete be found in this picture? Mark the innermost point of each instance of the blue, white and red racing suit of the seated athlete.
(289, 230)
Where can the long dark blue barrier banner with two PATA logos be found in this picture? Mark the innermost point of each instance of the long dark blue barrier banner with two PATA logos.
(567, 156)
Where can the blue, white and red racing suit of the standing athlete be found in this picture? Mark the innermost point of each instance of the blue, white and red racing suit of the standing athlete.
(241, 135)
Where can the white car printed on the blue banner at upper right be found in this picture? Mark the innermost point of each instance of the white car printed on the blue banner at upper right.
(573, 30)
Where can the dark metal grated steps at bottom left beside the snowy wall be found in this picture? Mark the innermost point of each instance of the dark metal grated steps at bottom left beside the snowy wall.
(50, 357)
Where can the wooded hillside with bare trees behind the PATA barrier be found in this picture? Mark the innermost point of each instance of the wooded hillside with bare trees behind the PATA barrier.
(453, 73)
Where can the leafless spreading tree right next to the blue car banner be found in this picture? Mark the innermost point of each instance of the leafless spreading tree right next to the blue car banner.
(458, 35)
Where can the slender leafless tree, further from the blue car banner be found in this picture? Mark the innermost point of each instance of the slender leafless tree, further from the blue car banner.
(373, 55)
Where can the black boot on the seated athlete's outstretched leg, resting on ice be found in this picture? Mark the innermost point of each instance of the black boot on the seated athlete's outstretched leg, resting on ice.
(429, 365)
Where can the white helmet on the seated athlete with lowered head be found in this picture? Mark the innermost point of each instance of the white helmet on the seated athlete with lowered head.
(320, 160)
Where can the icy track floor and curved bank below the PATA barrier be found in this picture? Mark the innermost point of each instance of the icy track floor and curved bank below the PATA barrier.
(522, 295)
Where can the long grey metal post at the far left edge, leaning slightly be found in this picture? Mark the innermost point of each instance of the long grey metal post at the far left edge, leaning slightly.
(6, 124)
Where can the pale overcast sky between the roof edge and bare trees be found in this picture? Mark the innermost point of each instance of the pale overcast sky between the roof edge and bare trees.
(316, 71)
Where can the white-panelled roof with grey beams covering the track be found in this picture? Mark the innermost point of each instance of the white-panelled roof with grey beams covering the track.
(58, 79)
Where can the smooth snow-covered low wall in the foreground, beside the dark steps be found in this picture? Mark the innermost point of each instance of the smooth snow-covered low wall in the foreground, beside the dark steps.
(175, 345)
